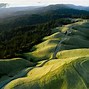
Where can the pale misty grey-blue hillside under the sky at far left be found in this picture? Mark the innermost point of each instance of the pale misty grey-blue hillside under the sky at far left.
(12, 11)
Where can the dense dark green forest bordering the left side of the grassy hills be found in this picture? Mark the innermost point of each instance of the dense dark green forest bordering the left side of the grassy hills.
(19, 40)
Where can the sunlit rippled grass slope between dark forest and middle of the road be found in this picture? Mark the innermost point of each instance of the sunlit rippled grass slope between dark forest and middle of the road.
(43, 50)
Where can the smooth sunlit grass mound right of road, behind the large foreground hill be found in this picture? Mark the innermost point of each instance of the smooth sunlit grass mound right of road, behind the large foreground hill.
(72, 53)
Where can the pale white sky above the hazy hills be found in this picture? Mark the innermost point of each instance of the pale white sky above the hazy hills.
(43, 2)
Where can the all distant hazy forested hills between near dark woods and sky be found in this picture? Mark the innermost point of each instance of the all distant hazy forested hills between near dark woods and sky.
(23, 16)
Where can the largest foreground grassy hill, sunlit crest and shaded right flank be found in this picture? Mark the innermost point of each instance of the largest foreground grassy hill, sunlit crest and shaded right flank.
(69, 73)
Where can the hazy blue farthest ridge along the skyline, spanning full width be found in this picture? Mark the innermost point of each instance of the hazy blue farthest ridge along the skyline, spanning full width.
(15, 11)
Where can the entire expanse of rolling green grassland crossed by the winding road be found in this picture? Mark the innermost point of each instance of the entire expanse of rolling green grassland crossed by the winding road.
(63, 62)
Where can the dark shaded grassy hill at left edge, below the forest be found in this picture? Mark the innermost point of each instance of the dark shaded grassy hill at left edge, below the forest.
(12, 66)
